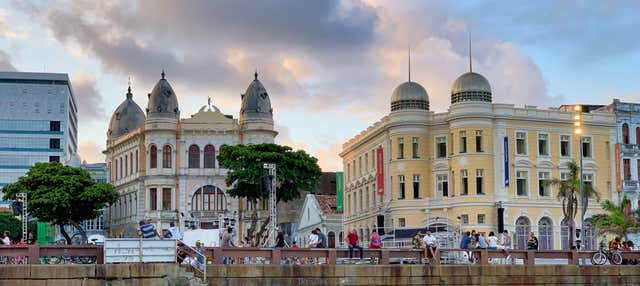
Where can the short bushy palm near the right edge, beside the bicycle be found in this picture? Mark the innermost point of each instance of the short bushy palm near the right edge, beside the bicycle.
(618, 219)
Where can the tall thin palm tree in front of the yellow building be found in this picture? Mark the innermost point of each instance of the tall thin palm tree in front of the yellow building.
(568, 193)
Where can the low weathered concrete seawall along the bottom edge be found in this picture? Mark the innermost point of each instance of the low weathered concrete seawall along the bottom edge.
(171, 274)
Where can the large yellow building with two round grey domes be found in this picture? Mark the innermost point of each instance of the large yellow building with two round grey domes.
(450, 169)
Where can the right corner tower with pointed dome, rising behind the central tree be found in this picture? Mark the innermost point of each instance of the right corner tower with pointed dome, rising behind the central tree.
(256, 114)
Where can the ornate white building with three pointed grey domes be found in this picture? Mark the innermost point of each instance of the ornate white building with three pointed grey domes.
(165, 167)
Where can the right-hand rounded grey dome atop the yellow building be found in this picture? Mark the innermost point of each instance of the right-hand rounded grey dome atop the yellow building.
(471, 87)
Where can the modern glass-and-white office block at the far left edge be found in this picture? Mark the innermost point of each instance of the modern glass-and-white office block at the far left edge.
(38, 122)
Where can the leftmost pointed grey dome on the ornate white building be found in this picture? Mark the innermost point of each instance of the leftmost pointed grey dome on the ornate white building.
(128, 116)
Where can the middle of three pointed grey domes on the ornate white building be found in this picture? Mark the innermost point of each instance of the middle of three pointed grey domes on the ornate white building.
(163, 101)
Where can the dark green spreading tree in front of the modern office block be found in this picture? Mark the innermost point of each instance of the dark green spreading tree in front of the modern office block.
(62, 195)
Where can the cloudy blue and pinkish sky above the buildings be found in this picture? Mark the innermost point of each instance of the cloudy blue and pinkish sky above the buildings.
(330, 66)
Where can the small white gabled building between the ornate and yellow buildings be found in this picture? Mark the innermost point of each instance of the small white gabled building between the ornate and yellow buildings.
(320, 211)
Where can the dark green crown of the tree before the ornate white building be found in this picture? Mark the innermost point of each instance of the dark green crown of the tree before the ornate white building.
(296, 170)
